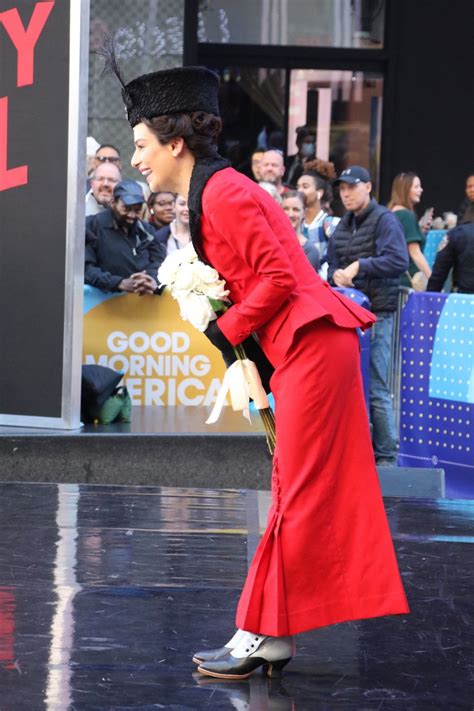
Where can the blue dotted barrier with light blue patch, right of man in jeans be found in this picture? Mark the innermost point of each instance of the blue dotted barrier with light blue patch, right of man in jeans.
(437, 387)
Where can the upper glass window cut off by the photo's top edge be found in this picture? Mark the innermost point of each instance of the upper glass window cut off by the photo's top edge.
(315, 23)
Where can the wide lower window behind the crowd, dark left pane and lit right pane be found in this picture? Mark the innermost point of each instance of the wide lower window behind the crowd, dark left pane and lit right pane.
(343, 109)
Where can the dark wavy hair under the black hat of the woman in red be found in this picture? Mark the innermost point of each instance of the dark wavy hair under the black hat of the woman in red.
(199, 130)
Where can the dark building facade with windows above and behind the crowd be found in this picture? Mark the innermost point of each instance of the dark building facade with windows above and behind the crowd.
(384, 83)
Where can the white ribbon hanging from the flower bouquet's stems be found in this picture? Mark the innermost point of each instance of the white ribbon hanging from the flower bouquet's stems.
(243, 382)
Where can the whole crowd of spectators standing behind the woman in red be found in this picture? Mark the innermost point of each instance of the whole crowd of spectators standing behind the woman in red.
(348, 238)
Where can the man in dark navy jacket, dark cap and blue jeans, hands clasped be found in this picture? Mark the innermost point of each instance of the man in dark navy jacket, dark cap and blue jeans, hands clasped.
(367, 251)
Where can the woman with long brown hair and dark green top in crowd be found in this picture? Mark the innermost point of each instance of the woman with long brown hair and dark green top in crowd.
(406, 194)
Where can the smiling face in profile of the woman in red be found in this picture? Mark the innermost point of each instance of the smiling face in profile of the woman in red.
(155, 162)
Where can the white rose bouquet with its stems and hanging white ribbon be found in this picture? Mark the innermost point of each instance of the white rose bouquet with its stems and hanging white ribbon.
(201, 295)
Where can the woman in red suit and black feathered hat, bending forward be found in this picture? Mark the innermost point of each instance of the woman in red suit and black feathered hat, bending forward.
(326, 555)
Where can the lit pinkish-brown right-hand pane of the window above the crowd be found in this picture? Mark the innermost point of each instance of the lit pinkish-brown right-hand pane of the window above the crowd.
(345, 111)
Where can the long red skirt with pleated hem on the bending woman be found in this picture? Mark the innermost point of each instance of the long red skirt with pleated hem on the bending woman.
(326, 555)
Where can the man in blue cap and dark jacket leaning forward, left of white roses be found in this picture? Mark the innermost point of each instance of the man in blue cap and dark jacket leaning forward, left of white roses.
(122, 253)
